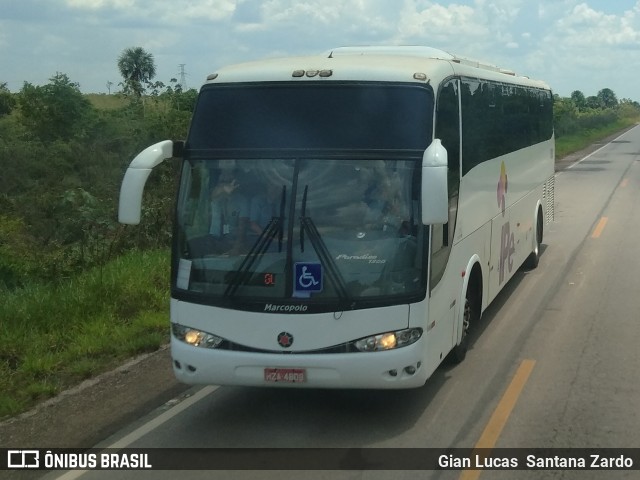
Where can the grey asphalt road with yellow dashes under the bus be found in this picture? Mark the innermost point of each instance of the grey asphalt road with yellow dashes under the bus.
(553, 363)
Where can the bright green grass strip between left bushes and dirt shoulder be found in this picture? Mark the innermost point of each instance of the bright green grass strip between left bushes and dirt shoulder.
(52, 337)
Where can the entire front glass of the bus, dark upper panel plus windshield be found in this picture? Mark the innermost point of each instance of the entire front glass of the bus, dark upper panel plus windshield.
(303, 196)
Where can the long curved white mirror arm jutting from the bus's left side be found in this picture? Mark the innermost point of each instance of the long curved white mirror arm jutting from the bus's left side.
(135, 178)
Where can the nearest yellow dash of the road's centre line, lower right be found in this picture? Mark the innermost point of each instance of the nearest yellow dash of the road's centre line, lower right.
(500, 415)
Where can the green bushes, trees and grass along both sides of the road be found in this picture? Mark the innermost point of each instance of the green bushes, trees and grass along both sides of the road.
(81, 293)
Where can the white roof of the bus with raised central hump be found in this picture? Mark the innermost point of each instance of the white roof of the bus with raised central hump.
(378, 63)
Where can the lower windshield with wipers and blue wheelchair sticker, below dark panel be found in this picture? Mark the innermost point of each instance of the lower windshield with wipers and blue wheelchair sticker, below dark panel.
(338, 232)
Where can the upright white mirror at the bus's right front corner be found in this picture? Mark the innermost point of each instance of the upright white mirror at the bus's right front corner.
(435, 195)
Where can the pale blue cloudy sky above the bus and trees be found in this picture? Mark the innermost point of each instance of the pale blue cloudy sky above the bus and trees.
(570, 44)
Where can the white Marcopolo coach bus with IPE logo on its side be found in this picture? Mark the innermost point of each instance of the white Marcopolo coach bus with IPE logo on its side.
(343, 220)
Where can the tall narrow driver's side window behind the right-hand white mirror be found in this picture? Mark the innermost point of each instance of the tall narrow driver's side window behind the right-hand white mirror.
(448, 131)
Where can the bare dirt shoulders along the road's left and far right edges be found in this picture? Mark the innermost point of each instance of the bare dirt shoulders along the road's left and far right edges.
(97, 408)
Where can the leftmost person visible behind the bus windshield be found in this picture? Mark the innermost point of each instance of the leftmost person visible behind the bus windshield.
(229, 215)
